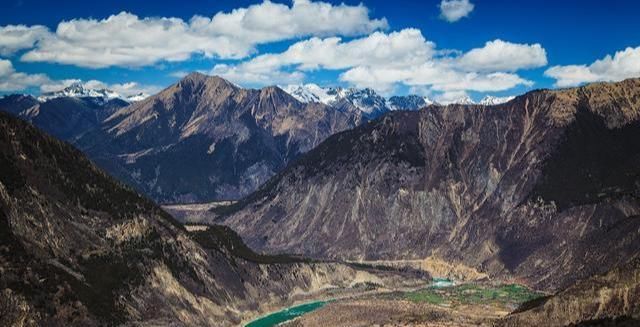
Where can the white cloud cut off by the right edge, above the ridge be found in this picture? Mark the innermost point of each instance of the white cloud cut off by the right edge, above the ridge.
(623, 64)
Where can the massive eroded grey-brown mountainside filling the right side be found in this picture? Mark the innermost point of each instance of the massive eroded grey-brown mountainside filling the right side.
(543, 188)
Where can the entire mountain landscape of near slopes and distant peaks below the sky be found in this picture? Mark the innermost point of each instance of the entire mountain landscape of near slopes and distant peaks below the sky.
(542, 190)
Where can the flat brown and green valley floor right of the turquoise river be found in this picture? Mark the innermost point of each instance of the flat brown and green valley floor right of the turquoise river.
(469, 304)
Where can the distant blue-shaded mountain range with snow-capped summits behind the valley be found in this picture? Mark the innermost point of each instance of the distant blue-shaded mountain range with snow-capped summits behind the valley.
(233, 139)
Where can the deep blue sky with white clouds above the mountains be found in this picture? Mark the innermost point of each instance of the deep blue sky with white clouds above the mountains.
(444, 49)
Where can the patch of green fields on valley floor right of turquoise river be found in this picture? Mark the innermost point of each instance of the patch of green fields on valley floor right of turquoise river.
(474, 294)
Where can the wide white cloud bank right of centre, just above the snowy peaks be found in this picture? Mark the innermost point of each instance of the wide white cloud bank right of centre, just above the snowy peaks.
(382, 61)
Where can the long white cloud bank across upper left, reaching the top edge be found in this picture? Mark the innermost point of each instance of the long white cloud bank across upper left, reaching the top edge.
(131, 41)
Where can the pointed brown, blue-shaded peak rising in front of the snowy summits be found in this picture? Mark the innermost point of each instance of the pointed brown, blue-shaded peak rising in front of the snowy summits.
(205, 138)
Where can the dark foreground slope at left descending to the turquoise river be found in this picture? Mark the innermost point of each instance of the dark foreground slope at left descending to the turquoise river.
(79, 249)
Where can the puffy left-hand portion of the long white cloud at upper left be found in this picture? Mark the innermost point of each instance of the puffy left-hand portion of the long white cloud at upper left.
(127, 40)
